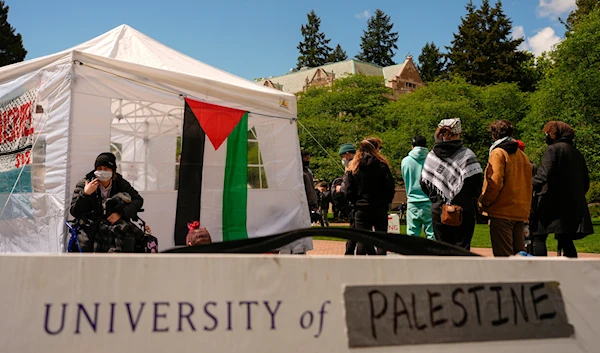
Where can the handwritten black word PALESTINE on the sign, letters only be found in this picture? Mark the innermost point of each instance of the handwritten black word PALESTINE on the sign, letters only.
(509, 306)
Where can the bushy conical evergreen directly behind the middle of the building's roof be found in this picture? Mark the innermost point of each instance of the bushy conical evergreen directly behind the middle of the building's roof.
(378, 41)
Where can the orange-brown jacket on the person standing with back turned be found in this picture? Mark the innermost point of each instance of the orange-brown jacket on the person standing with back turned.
(507, 188)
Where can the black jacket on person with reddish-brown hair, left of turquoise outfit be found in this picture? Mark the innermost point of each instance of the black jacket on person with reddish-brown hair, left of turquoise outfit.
(372, 186)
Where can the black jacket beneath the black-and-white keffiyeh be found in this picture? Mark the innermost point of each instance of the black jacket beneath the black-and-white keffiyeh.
(471, 190)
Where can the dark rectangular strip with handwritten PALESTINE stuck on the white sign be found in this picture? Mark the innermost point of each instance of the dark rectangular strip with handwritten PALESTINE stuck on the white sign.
(449, 313)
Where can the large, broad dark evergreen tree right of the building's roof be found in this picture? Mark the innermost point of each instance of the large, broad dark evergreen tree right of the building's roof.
(483, 51)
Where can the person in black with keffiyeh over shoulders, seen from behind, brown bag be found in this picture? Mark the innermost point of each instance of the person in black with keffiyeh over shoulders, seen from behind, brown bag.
(452, 175)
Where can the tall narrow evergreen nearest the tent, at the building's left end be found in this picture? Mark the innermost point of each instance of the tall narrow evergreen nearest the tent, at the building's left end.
(314, 50)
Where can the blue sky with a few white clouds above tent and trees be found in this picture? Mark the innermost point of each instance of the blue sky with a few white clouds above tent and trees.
(259, 38)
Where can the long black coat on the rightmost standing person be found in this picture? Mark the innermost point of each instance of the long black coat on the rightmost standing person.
(561, 182)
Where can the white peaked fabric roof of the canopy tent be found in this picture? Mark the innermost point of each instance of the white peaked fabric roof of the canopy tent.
(124, 43)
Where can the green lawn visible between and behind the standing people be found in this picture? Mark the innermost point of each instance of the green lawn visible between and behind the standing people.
(481, 239)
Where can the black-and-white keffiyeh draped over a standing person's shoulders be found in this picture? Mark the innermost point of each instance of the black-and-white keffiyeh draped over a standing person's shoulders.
(447, 175)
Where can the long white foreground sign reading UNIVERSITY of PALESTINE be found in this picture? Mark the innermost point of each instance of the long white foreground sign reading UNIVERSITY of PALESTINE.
(268, 304)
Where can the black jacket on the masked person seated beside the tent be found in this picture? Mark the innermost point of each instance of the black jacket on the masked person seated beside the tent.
(90, 206)
